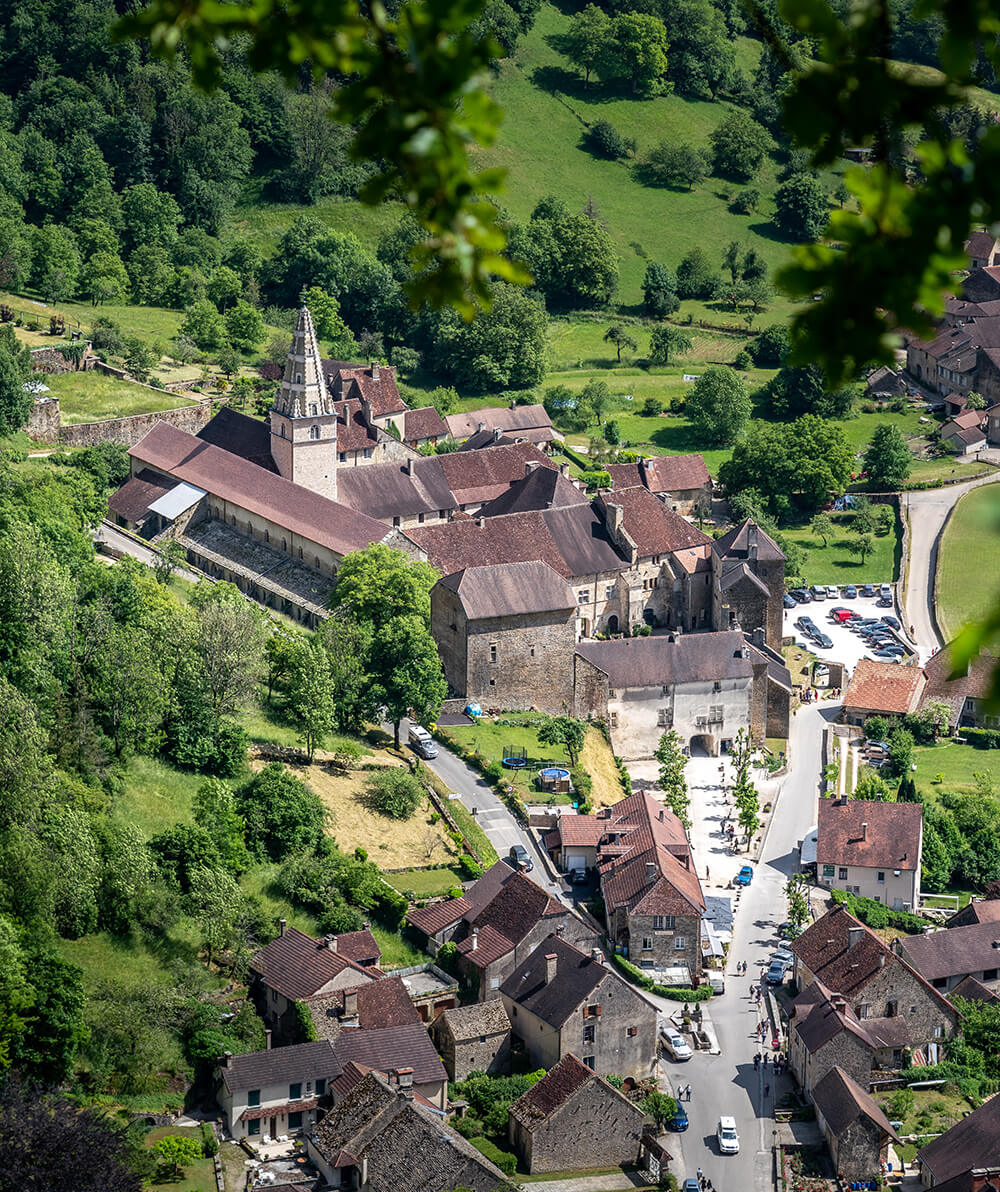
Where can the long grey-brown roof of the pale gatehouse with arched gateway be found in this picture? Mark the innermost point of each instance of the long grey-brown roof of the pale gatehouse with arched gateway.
(655, 662)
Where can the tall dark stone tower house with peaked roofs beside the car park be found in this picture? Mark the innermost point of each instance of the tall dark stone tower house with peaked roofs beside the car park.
(749, 589)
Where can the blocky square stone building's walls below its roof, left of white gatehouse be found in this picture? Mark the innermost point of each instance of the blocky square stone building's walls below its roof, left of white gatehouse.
(511, 662)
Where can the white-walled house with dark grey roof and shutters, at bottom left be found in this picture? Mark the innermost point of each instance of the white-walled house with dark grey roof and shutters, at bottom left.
(266, 1095)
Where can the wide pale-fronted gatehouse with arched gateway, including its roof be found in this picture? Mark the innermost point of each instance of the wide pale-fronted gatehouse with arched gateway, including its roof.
(707, 687)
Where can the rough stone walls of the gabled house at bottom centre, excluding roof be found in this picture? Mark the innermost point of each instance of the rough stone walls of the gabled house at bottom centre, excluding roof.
(595, 1128)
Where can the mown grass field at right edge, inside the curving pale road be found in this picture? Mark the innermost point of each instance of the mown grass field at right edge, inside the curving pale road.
(968, 580)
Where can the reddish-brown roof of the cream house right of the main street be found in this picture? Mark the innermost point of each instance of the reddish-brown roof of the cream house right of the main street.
(872, 835)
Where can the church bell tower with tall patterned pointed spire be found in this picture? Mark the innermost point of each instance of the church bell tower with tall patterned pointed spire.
(303, 419)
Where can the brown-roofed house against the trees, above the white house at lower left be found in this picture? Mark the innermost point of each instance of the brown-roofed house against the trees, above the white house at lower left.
(296, 967)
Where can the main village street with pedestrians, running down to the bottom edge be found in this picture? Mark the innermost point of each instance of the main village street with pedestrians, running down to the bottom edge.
(728, 1083)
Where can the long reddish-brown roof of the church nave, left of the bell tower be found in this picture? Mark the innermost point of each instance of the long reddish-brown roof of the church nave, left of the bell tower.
(232, 479)
